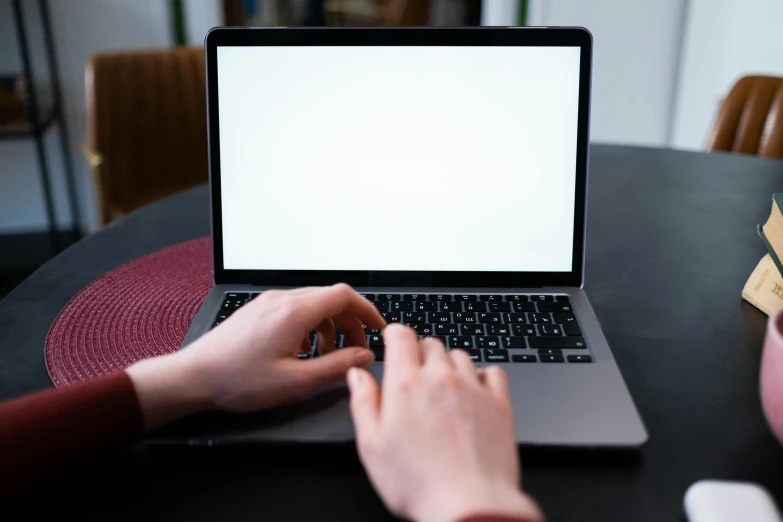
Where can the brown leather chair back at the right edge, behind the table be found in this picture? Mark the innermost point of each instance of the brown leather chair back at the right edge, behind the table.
(750, 119)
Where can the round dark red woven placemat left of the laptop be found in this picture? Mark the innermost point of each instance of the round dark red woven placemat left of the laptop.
(138, 310)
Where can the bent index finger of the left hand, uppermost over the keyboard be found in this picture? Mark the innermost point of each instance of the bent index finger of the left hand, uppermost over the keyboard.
(336, 300)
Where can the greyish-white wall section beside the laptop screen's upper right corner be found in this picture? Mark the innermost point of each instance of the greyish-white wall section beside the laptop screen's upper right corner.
(635, 56)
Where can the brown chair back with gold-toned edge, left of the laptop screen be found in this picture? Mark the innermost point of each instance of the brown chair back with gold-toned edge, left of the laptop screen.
(146, 126)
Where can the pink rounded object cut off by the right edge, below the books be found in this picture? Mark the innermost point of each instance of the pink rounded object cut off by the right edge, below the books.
(771, 379)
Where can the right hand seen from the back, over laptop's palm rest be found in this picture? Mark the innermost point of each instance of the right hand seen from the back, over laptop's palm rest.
(438, 441)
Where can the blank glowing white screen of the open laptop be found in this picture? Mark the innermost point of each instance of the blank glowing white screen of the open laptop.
(398, 158)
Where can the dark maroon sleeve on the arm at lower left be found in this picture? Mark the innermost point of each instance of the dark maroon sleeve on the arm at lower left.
(58, 428)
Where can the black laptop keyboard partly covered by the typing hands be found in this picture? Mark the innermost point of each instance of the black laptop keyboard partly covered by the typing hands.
(491, 328)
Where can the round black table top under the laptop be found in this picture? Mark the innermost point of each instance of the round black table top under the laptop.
(671, 240)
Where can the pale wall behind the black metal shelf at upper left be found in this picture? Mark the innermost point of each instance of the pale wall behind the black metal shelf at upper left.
(80, 28)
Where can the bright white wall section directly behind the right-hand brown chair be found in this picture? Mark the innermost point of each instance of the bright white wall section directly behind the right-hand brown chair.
(724, 40)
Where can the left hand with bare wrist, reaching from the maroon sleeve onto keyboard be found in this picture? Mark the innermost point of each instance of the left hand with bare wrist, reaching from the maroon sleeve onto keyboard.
(250, 361)
